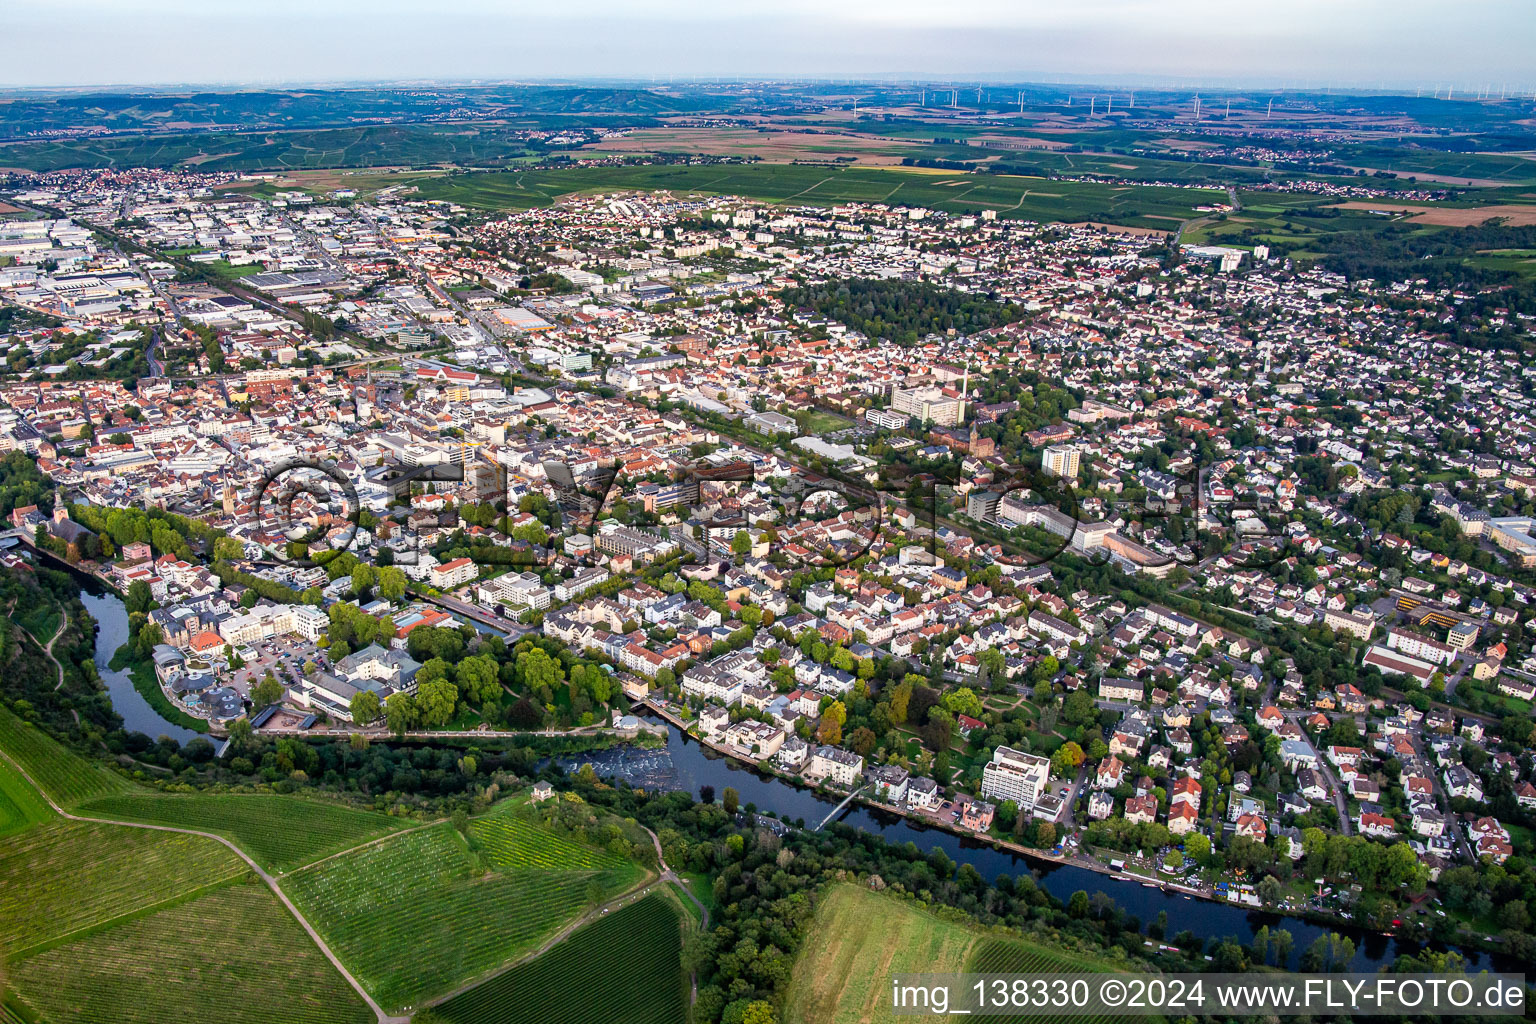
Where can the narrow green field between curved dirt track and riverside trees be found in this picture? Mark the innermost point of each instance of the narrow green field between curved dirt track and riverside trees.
(279, 833)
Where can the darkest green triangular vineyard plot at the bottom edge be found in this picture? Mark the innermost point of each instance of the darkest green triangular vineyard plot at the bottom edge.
(624, 968)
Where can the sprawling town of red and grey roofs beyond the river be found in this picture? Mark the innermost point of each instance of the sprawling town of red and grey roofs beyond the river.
(1187, 563)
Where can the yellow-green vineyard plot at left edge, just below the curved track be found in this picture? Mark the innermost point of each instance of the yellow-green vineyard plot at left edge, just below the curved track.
(73, 876)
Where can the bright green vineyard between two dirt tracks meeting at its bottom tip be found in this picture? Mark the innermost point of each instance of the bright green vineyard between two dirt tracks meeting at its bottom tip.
(414, 917)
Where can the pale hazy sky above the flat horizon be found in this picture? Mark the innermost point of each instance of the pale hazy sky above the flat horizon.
(273, 42)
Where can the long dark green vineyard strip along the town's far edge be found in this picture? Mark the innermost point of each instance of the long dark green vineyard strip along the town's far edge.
(958, 193)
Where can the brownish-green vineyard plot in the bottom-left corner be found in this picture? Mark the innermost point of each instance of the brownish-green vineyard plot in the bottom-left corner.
(233, 956)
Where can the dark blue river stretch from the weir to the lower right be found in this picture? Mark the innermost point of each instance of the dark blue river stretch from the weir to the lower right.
(684, 765)
